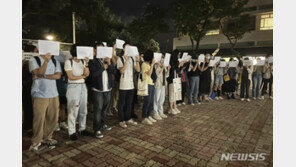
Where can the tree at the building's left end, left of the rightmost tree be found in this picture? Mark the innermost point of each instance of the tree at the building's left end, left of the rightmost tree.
(193, 18)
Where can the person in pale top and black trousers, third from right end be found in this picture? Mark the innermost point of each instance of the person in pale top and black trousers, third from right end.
(246, 78)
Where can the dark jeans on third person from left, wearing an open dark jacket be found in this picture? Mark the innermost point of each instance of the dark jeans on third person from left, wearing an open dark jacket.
(101, 103)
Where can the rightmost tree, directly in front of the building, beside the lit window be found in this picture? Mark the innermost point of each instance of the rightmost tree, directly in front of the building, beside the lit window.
(232, 22)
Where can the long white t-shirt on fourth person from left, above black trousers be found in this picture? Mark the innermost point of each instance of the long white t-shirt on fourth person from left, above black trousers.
(126, 79)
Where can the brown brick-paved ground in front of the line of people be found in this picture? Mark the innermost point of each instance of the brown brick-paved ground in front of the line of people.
(196, 137)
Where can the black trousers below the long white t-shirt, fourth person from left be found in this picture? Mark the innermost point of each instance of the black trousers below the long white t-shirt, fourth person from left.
(125, 104)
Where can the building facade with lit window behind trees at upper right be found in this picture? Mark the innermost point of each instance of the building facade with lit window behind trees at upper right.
(257, 42)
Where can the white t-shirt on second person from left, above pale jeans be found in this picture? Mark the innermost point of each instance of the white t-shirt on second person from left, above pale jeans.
(77, 70)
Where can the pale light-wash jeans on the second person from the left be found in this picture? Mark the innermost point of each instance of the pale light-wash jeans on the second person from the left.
(77, 106)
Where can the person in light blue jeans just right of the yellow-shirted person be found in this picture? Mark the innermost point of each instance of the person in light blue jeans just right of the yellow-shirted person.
(162, 73)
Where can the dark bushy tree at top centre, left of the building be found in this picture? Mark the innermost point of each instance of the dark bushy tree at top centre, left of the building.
(145, 27)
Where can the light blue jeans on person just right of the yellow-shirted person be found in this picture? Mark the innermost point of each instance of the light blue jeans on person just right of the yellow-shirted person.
(159, 97)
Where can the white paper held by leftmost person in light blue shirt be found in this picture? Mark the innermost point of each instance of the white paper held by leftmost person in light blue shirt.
(51, 47)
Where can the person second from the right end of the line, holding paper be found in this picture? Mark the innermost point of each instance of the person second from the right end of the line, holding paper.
(257, 80)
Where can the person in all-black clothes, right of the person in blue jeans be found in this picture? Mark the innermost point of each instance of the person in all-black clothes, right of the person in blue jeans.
(205, 79)
